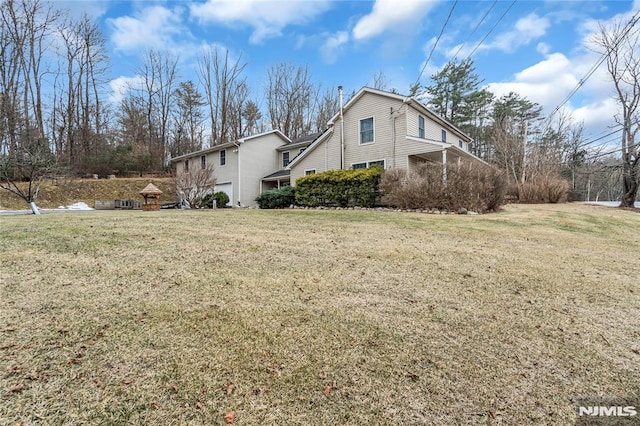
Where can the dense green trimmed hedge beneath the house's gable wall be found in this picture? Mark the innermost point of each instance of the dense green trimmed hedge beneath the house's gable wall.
(343, 188)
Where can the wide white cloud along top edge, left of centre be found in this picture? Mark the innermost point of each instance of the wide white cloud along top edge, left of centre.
(267, 18)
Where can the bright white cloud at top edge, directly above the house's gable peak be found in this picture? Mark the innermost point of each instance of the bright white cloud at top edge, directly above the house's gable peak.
(391, 15)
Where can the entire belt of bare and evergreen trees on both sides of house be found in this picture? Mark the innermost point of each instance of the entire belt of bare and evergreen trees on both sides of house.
(54, 91)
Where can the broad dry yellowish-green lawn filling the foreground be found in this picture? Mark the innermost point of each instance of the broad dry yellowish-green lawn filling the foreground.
(317, 317)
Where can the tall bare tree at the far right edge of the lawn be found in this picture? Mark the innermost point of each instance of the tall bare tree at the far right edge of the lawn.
(621, 47)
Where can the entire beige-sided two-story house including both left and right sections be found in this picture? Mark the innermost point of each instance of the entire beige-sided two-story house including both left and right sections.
(373, 128)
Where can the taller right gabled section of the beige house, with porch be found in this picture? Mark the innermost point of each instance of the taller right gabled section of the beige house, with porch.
(386, 129)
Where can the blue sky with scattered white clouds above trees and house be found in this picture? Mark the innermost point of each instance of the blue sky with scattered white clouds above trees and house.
(539, 49)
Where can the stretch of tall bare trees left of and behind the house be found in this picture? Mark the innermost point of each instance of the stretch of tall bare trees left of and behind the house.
(54, 87)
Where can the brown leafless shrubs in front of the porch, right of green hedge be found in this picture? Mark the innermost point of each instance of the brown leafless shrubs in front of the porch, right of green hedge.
(470, 186)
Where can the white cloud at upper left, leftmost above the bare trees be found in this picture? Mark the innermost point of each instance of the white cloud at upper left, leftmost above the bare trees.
(152, 28)
